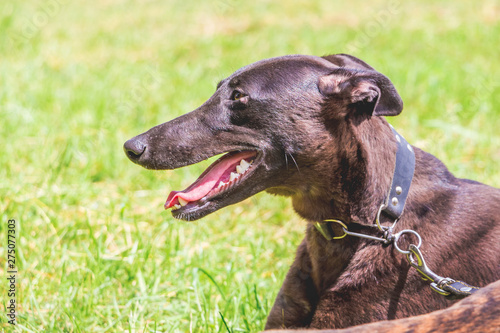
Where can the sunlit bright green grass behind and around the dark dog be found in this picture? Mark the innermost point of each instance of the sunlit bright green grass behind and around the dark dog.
(95, 250)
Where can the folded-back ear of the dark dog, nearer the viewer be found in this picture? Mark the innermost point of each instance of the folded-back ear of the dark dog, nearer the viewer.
(367, 91)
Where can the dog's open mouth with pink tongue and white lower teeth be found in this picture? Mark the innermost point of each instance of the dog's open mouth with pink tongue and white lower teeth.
(223, 175)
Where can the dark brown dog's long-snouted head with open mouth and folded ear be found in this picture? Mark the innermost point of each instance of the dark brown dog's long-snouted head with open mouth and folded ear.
(280, 124)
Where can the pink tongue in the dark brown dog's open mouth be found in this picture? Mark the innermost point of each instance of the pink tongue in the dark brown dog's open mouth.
(205, 184)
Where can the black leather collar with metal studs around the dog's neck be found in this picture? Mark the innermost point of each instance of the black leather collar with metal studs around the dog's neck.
(400, 186)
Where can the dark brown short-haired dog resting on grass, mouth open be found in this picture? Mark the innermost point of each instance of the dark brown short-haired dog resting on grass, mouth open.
(313, 129)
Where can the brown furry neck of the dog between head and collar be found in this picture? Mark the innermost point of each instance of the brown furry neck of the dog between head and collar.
(360, 176)
